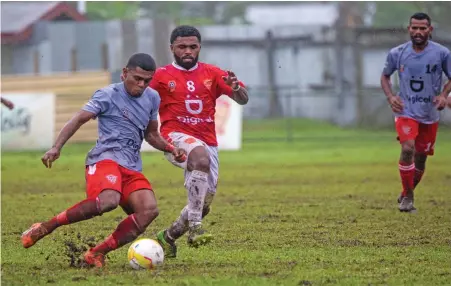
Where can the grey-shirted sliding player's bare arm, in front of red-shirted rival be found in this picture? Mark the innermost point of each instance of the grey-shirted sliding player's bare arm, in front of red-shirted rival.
(154, 138)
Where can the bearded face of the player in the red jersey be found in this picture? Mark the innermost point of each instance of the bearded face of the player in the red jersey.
(186, 51)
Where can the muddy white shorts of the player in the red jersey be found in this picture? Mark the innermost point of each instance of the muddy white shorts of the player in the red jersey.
(188, 143)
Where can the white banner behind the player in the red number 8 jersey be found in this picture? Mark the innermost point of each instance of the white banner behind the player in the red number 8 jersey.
(228, 119)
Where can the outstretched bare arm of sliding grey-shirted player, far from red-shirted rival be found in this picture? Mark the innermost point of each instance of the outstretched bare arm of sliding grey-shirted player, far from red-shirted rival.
(65, 134)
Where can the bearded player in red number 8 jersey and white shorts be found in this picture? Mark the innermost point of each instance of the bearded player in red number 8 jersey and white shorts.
(188, 90)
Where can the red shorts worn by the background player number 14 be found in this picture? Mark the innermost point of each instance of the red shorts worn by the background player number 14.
(423, 134)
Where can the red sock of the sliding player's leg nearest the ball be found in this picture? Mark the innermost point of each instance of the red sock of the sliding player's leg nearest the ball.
(126, 231)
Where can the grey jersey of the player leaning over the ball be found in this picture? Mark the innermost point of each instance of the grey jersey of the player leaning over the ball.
(122, 121)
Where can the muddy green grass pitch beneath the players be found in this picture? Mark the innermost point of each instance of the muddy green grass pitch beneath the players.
(317, 211)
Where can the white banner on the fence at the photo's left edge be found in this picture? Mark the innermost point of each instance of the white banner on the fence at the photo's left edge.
(31, 124)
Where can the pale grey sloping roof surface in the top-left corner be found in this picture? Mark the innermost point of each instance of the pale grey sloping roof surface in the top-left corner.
(16, 16)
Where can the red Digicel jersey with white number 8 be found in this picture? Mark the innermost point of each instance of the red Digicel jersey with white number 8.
(188, 99)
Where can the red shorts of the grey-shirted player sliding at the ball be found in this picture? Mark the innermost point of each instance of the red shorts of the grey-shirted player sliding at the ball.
(107, 174)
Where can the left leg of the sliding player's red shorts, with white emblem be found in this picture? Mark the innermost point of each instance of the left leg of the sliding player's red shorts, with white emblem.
(104, 175)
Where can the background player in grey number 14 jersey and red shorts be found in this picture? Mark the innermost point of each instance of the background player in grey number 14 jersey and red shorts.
(420, 64)
